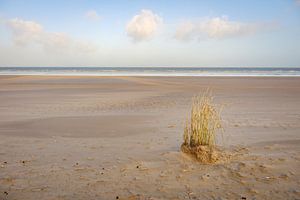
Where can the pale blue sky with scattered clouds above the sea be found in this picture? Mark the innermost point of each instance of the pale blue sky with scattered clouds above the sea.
(173, 33)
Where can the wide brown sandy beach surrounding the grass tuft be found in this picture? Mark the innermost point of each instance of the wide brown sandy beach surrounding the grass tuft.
(119, 138)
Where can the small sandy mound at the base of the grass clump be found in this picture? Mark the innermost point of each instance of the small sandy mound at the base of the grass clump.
(204, 154)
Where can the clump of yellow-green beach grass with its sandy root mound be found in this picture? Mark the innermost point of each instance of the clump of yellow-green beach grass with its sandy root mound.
(200, 129)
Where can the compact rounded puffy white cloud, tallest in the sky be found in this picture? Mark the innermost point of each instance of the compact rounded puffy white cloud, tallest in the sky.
(143, 26)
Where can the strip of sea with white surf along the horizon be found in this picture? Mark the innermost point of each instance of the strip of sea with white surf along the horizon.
(151, 71)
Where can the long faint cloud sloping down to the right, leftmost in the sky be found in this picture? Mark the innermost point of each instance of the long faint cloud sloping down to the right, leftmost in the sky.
(30, 32)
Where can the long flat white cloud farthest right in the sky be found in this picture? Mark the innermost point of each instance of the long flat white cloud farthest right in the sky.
(215, 28)
